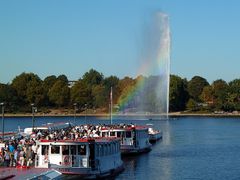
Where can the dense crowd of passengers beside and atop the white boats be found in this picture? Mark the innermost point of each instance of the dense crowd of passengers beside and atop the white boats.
(22, 151)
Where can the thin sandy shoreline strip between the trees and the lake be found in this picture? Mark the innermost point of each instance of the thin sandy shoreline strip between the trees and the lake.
(173, 114)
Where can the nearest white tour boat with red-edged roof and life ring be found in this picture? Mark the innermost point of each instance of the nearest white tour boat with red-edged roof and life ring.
(81, 158)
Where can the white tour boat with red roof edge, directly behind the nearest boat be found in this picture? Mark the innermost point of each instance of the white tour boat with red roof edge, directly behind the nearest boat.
(134, 138)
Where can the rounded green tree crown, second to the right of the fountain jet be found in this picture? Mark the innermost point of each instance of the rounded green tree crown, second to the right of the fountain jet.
(195, 87)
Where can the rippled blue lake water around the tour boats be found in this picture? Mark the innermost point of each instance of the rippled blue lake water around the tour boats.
(191, 148)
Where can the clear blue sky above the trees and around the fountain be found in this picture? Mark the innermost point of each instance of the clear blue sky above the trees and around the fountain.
(70, 37)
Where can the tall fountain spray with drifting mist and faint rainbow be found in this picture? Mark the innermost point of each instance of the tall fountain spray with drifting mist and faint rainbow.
(151, 94)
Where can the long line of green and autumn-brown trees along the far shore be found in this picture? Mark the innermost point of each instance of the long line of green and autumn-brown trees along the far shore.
(92, 91)
